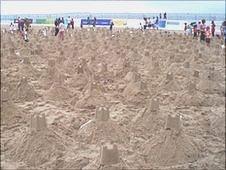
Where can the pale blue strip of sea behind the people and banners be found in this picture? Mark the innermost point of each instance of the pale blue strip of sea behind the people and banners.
(175, 21)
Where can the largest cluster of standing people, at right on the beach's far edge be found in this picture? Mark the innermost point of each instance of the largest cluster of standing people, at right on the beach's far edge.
(201, 30)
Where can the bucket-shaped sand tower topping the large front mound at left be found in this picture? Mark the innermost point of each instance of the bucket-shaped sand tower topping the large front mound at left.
(38, 123)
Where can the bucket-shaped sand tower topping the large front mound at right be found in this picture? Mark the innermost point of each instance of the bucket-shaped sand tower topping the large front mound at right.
(173, 123)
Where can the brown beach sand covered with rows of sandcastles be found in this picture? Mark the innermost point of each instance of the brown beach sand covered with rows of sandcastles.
(120, 100)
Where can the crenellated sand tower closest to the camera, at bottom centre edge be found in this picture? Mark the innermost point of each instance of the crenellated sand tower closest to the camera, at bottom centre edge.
(109, 154)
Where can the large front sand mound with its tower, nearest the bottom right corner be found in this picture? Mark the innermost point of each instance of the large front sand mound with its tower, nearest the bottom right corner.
(171, 147)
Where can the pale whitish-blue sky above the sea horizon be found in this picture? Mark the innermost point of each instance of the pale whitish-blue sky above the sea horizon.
(48, 7)
